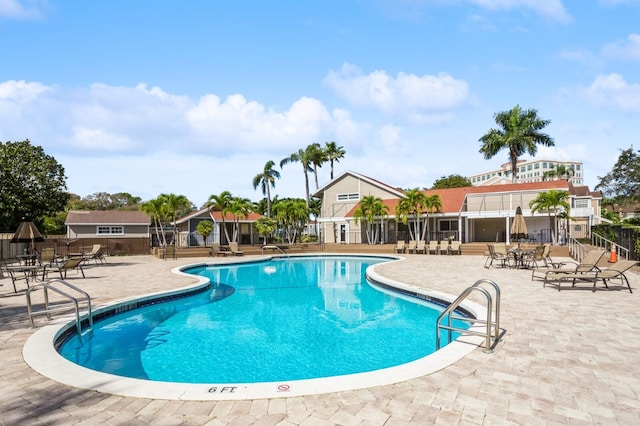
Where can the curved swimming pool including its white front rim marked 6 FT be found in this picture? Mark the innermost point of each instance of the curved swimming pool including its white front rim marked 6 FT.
(339, 297)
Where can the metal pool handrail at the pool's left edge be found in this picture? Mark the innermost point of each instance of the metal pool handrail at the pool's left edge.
(81, 301)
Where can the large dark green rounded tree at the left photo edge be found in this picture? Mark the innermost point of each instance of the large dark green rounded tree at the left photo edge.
(32, 185)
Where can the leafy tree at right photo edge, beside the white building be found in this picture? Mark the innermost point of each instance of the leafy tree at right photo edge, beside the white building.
(622, 183)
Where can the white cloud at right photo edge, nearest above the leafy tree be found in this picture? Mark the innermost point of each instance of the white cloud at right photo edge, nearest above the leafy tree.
(613, 91)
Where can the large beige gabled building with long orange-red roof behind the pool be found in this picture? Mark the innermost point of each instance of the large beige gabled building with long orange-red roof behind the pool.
(470, 214)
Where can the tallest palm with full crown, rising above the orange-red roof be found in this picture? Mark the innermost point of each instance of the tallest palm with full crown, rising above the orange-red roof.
(519, 133)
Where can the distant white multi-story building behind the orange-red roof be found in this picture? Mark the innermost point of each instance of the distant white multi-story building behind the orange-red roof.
(531, 171)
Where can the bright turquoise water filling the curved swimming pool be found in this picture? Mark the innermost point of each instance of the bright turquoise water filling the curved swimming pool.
(283, 319)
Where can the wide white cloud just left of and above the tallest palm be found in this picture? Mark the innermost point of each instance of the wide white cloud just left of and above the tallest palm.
(402, 96)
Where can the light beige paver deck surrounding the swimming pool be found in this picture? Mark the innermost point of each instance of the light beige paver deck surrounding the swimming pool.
(568, 357)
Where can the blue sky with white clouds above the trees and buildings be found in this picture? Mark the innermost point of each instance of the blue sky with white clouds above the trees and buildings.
(151, 97)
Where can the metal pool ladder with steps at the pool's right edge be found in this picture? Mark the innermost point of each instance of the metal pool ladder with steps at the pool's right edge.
(492, 332)
